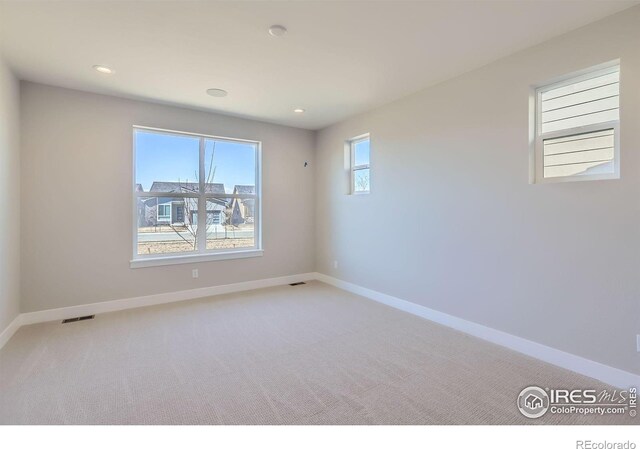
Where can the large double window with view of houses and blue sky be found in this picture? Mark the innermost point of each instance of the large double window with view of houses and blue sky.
(196, 198)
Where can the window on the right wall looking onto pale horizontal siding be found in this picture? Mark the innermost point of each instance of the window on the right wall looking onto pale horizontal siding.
(577, 127)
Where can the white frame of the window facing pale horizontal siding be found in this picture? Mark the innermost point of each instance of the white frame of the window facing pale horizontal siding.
(536, 157)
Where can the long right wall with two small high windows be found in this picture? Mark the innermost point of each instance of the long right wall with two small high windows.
(453, 224)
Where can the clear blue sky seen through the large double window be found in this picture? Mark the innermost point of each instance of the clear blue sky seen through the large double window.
(164, 157)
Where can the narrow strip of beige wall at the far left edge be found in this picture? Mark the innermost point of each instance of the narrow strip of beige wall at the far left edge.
(9, 197)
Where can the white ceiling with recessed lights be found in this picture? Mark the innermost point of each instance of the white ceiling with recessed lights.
(338, 58)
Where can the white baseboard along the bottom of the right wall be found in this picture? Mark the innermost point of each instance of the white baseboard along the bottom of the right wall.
(604, 373)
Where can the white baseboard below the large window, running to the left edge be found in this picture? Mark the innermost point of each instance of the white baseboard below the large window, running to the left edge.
(143, 301)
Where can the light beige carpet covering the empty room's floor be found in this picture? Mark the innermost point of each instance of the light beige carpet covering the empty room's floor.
(311, 354)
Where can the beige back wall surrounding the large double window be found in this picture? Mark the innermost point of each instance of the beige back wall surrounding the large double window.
(76, 204)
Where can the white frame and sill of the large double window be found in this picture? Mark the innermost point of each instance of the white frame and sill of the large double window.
(201, 253)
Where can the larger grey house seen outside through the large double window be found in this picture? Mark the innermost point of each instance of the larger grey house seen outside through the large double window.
(180, 211)
